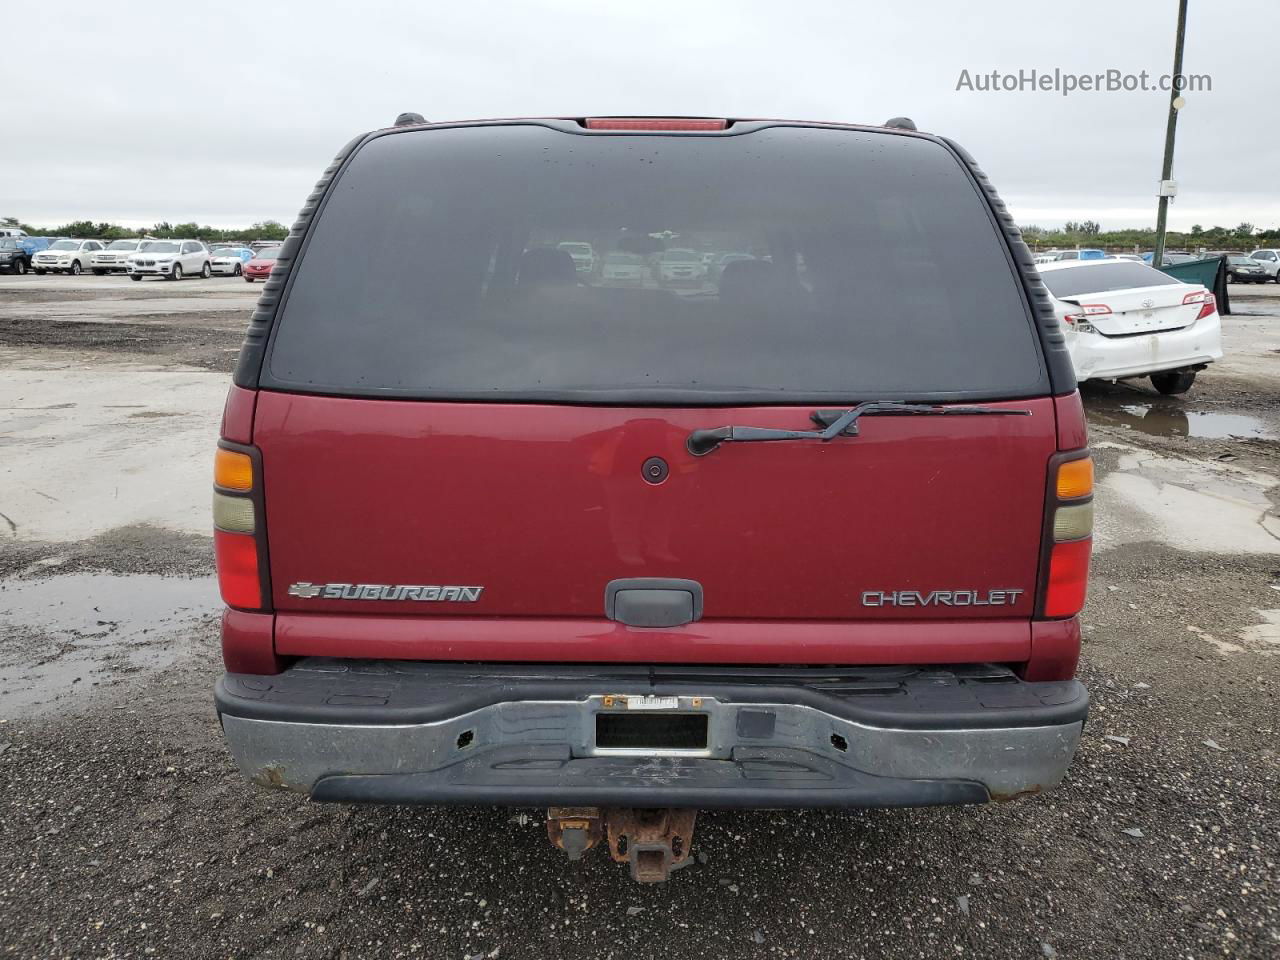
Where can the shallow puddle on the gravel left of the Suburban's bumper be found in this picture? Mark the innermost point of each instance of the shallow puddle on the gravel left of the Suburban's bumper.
(66, 636)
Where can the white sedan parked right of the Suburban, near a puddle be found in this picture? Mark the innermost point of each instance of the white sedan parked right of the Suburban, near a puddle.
(1126, 321)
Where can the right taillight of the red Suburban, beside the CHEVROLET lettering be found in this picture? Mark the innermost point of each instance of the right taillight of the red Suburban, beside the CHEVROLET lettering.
(1068, 536)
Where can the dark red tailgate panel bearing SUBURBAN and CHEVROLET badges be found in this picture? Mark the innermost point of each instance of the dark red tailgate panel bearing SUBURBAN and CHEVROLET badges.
(529, 510)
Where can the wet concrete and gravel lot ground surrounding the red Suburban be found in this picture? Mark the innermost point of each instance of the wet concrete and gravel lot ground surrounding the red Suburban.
(125, 831)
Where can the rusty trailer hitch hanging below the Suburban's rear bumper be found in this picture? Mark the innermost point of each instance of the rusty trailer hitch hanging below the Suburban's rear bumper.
(653, 842)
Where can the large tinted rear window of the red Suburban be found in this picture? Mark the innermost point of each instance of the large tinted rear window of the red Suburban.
(874, 269)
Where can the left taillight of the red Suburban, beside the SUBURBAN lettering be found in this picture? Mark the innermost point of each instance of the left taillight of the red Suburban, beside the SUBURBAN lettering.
(239, 531)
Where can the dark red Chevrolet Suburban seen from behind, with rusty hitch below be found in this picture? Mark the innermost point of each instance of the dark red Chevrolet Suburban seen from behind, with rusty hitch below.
(810, 531)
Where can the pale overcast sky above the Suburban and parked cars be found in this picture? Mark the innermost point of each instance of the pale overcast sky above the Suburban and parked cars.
(226, 113)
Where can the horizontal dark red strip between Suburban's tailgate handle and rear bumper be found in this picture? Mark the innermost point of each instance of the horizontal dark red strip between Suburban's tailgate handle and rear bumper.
(604, 642)
